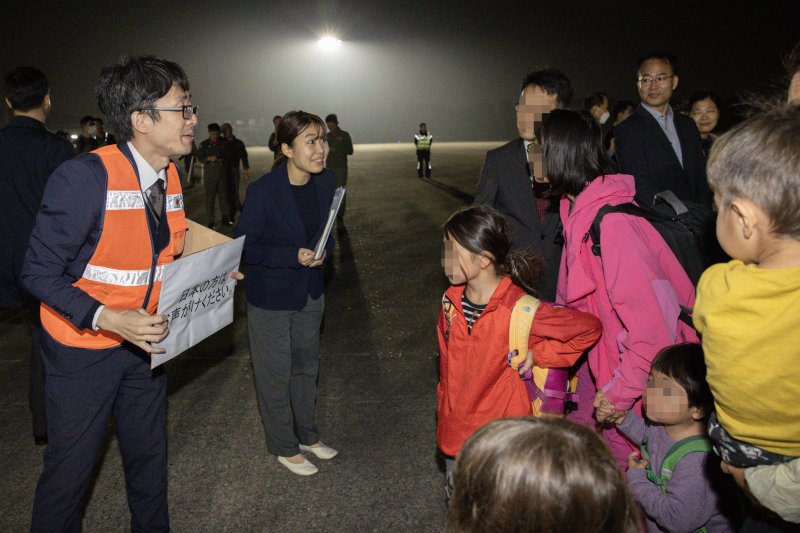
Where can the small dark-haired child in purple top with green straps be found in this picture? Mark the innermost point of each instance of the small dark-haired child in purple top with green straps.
(671, 479)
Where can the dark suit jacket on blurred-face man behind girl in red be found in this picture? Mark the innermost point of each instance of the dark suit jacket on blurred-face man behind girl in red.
(505, 184)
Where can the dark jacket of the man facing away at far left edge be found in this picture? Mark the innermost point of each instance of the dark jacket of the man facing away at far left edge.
(29, 153)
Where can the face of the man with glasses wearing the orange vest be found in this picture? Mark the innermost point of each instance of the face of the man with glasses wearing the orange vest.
(172, 134)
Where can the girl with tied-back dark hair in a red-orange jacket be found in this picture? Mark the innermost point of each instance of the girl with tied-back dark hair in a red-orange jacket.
(477, 384)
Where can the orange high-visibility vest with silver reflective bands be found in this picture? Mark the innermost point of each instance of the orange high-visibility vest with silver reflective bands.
(123, 272)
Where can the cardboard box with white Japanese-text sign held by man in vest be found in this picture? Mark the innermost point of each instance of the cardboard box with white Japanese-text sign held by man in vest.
(197, 293)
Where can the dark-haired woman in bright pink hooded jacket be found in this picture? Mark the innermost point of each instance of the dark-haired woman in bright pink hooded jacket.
(635, 289)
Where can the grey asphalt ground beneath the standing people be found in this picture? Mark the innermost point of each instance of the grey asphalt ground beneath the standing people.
(378, 375)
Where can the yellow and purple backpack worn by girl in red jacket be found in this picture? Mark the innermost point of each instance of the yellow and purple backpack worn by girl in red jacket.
(547, 387)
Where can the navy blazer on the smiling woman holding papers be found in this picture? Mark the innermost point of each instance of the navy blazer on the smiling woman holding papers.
(274, 232)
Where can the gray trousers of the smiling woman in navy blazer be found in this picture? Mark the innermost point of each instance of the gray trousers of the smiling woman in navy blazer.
(284, 348)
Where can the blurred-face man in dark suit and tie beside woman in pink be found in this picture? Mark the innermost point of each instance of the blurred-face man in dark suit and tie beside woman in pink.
(506, 182)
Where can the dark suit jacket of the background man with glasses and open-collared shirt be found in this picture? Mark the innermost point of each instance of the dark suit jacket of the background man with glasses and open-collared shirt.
(644, 151)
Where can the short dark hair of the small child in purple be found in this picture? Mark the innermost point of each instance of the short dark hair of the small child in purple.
(684, 364)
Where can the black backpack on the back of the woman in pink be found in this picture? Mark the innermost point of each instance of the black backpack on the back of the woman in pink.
(688, 229)
